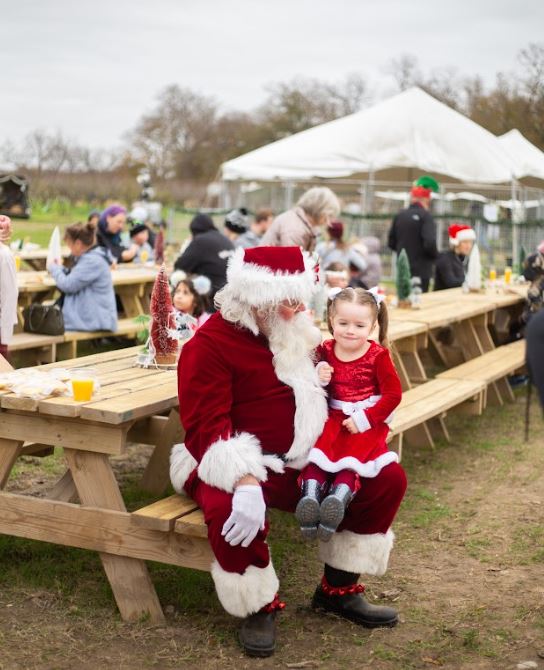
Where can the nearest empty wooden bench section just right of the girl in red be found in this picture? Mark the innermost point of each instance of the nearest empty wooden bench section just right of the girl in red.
(421, 413)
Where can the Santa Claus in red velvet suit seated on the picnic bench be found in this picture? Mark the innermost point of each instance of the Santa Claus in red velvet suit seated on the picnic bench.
(252, 408)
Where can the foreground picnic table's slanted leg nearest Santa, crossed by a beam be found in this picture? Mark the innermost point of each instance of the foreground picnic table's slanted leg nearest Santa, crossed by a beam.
(129, 579)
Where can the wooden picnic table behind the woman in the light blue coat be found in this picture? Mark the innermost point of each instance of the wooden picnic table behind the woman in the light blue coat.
(132, 284)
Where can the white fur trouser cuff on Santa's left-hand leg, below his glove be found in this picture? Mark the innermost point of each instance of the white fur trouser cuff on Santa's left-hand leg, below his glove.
(242, 595)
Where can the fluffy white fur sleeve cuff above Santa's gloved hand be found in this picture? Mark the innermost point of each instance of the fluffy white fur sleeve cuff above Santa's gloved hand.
(226, 461)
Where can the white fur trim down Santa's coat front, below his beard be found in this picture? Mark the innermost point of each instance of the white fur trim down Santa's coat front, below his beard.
(311, 408)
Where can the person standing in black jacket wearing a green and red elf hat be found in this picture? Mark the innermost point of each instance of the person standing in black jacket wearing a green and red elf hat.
(414, 229)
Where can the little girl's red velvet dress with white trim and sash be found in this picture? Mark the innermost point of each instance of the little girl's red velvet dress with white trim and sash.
(373, 374)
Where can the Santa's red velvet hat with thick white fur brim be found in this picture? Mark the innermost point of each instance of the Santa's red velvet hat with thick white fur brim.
(267, 275)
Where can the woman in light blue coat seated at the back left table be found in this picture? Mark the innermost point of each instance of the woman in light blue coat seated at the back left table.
(89, 302)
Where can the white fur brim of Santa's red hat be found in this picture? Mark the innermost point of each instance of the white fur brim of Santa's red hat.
(257, 285)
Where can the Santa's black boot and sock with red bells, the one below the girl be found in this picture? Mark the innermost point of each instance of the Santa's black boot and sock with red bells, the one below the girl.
(340, 594)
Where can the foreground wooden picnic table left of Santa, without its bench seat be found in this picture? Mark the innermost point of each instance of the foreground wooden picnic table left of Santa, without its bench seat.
(132, 404)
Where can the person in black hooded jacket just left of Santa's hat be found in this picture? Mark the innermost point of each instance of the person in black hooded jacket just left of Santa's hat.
(207, 253)
